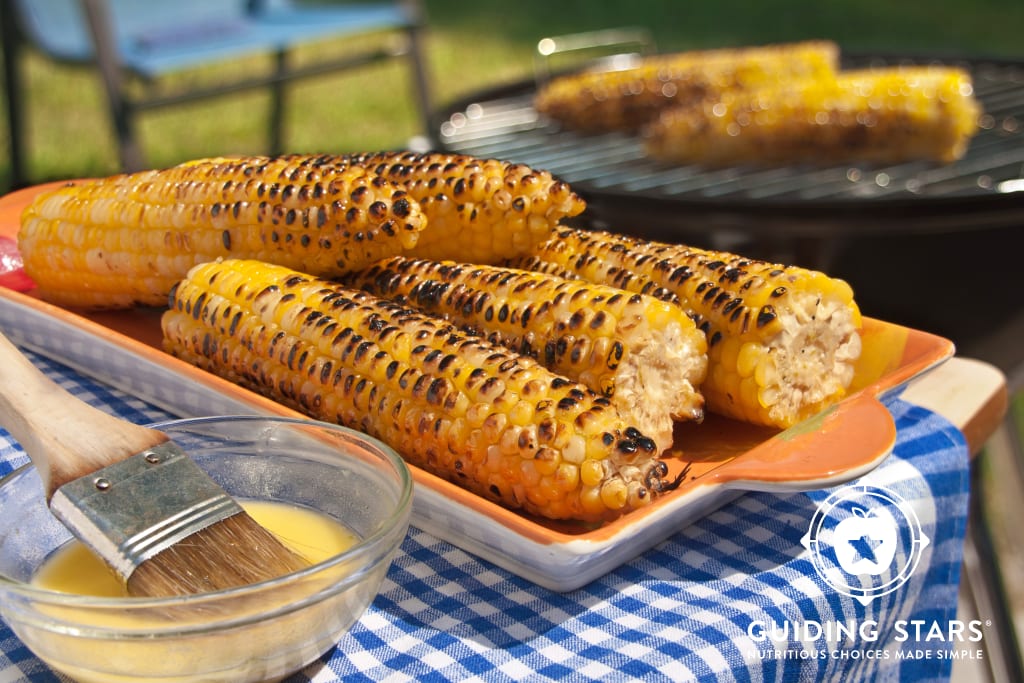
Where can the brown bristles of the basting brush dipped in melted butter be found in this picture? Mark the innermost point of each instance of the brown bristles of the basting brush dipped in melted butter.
(231, 553)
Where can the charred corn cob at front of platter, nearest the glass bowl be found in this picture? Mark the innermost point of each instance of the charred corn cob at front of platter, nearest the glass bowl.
(442, 399)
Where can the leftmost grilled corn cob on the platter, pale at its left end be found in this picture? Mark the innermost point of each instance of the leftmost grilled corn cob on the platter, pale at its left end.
(127, 239)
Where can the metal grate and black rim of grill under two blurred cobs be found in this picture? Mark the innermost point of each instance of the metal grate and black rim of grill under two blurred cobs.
(630, 193)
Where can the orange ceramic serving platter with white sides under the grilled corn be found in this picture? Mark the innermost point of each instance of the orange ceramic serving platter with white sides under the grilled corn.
(726, 457)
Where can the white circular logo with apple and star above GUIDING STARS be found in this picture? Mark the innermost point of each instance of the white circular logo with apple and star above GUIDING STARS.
(866, 542)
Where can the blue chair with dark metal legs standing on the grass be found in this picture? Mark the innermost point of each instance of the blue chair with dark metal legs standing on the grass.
(146, 40)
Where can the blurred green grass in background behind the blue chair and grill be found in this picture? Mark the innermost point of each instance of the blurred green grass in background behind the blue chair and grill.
(474, 47)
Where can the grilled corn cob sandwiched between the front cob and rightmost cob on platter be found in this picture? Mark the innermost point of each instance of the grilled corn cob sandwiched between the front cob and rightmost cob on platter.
(646, 355)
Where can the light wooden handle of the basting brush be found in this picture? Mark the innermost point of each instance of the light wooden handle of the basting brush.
(66, 438)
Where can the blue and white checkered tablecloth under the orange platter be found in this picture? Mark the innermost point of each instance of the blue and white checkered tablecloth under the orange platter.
(698, 607)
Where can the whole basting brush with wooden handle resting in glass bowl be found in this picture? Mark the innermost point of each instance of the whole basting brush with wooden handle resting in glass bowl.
(133, 496)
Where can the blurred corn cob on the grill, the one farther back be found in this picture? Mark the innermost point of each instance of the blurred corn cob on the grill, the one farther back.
(626, 100)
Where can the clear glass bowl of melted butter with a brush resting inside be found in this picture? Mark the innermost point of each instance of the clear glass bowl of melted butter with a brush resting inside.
(261, 632)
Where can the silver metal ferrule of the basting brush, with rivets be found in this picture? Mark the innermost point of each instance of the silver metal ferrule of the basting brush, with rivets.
(133, 510)
